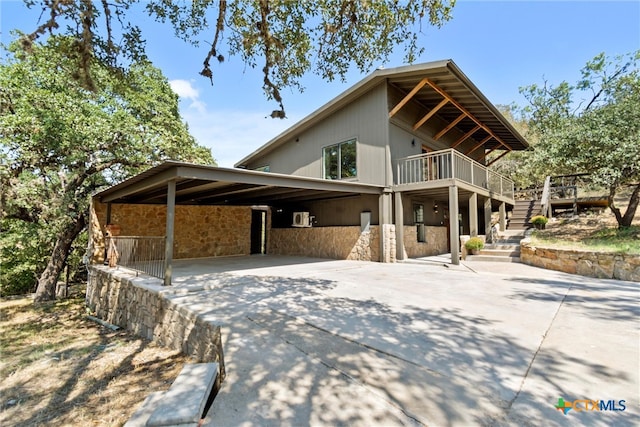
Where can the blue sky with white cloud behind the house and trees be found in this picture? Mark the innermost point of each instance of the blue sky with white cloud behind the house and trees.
(500, 45)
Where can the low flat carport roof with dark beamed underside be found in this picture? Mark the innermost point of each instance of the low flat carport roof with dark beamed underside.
(210, 185)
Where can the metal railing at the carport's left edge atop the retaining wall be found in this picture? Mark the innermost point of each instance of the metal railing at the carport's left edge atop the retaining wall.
(140, 253)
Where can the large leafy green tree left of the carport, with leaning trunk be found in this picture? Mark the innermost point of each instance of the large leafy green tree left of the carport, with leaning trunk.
(62, 141)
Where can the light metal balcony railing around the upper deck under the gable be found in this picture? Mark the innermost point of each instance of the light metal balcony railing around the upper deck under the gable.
(451, 164)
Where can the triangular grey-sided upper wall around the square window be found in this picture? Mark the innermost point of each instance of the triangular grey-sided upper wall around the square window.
(365, 119)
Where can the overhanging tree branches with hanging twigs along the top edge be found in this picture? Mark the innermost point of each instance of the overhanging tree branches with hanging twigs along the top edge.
(287, 38)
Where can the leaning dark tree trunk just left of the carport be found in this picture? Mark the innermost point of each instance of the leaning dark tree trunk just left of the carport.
(46, 290)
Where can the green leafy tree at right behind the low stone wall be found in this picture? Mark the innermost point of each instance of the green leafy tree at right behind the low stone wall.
(592, 126)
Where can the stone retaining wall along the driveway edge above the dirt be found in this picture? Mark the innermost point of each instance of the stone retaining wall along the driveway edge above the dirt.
(143, 306)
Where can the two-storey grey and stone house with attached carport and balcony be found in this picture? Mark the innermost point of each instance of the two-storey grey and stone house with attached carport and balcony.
(394, 167)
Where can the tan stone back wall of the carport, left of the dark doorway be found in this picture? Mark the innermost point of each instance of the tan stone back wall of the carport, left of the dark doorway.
(200, 231)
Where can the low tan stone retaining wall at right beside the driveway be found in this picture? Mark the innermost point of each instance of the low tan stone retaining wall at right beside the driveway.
(603, 265)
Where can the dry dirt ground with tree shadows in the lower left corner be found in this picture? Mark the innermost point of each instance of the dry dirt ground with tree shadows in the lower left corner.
(57, 368)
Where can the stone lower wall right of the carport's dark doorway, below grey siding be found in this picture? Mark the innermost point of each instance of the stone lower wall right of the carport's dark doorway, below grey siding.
(326, 242)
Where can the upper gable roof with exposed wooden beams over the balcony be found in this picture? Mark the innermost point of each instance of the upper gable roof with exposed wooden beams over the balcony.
(445, 75)
